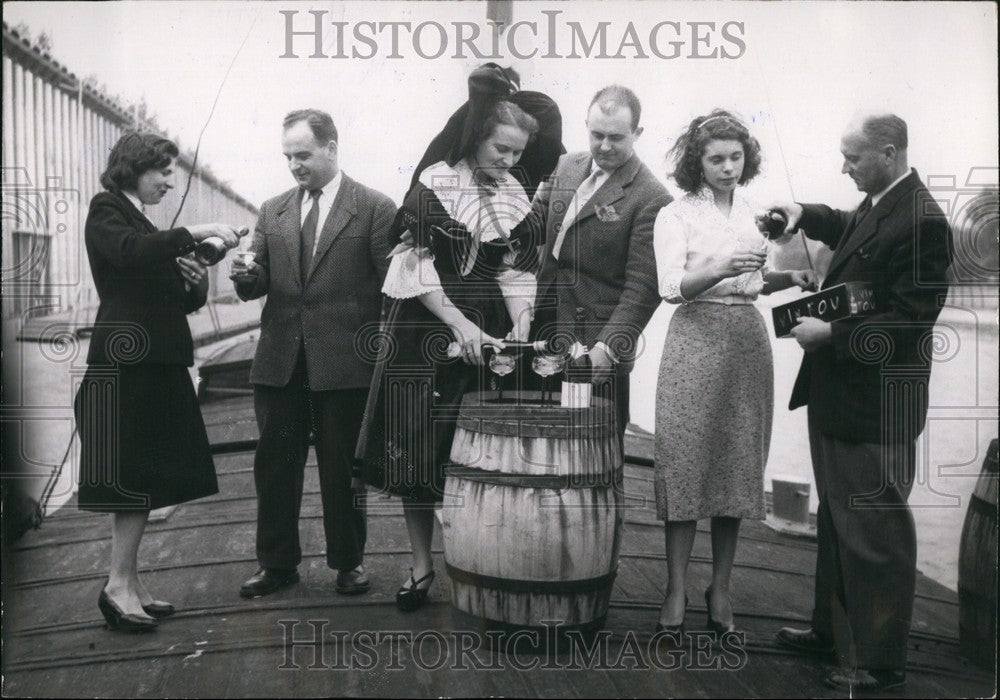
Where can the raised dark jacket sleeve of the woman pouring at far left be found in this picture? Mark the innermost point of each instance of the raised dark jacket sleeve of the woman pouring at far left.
(109, 232)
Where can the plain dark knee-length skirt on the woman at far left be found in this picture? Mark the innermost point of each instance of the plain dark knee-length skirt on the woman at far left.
(143, 443)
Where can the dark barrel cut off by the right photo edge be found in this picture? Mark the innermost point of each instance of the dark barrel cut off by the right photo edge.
(977, 568)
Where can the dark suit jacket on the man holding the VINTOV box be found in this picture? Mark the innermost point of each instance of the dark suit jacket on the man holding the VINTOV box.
(870, 384)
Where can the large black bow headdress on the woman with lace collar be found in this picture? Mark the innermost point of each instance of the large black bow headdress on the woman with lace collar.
(488, 85)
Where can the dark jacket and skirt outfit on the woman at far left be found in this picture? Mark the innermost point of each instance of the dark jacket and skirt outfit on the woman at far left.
(143, 441)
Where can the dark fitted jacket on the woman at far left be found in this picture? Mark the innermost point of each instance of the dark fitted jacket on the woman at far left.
(144, 302)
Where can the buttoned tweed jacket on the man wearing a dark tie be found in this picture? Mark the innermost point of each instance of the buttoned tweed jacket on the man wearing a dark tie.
(342, 293)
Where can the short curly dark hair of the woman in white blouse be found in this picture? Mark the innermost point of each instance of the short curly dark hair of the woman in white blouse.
(720, 125)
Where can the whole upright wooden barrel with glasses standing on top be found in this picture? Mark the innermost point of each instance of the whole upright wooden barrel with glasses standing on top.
(532, 513)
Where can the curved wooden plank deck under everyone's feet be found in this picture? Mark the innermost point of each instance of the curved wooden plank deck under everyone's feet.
(220, 645)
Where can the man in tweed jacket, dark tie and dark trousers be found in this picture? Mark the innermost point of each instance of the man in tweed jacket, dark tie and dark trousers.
(320, 255)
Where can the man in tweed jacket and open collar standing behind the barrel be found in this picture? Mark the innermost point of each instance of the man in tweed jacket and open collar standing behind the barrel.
(598, 211)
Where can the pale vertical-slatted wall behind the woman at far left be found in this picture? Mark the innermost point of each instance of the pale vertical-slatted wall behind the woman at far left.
(57, 133)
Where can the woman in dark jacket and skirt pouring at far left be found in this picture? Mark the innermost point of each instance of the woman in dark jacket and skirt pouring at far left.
(143, 442)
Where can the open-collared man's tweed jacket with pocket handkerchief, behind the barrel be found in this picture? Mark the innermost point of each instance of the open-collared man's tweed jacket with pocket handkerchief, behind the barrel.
(606, 263)
